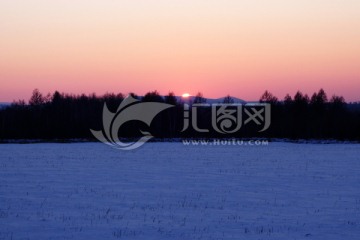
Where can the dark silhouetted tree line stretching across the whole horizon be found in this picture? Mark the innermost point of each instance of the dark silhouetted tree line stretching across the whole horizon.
(65, 116)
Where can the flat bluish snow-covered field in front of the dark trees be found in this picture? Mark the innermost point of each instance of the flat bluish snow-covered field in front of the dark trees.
(172, 191)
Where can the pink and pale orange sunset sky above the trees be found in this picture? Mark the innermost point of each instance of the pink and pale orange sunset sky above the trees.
(219, 47)
